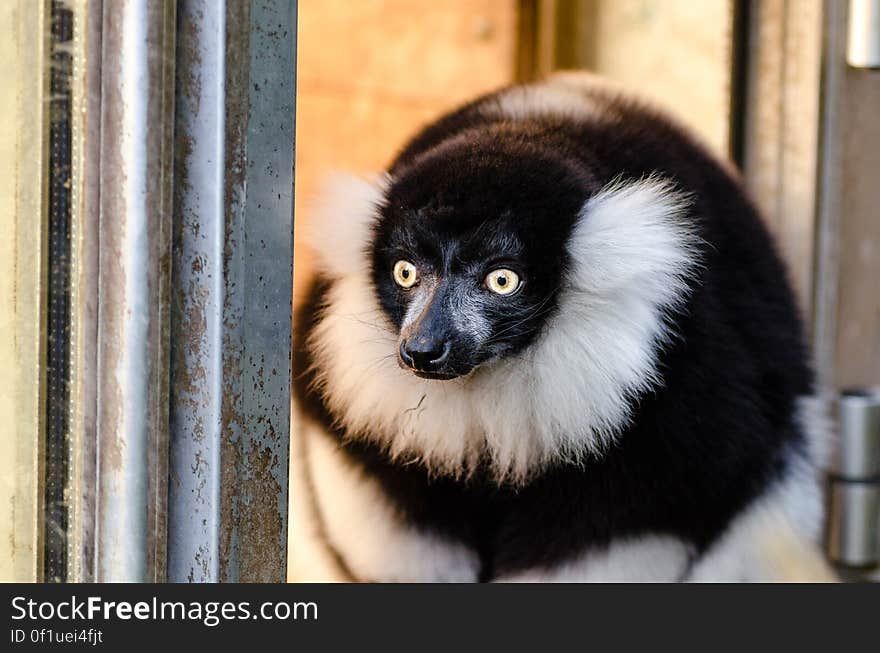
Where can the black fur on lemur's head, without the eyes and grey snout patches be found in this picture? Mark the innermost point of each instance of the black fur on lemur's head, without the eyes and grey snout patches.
(502, 197)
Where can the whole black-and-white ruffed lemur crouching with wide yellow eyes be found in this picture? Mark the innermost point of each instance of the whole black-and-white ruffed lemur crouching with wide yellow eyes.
(634, 410)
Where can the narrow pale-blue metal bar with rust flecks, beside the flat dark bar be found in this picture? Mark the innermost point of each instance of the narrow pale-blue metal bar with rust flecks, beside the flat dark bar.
(197, 298)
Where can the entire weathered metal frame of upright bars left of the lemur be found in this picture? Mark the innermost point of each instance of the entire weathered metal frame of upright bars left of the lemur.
(113, 300)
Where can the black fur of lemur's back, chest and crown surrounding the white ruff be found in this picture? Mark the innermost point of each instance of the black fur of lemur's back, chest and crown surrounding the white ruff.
(701, 447)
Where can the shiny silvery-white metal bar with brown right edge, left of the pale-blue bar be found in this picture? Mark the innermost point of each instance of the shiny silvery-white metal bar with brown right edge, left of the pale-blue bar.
(137, 113)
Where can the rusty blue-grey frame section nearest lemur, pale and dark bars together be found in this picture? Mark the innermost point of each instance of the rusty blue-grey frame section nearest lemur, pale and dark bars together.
(232, 287)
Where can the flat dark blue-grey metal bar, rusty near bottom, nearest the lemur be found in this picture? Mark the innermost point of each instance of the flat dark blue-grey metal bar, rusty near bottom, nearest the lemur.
(262, 296)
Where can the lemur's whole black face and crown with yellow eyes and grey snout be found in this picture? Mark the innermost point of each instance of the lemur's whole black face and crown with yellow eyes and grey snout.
(469, 255)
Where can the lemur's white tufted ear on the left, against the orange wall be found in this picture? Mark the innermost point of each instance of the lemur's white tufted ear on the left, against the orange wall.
(340, 223)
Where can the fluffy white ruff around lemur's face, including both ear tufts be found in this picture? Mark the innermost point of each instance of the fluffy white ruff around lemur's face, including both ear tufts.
(565, 397)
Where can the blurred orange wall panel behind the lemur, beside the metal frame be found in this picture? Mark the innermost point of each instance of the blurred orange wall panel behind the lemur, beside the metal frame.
(371, 72)
